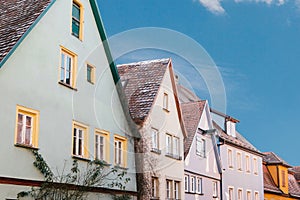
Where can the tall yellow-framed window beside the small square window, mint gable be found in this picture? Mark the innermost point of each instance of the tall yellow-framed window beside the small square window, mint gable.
(68, 67)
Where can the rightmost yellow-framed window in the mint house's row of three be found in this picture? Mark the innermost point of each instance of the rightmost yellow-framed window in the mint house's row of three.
(120, 151)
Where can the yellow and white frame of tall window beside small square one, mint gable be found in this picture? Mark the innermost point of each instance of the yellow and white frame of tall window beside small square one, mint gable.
(73, 71)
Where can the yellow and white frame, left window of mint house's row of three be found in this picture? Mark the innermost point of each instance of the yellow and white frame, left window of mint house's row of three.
(85, 143)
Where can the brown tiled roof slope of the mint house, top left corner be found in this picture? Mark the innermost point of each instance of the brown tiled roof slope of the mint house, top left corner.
(16, 17)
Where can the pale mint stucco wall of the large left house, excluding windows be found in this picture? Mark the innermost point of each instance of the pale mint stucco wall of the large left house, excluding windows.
(30, 78)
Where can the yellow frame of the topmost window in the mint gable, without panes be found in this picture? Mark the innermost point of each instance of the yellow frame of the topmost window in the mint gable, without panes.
(80, 21)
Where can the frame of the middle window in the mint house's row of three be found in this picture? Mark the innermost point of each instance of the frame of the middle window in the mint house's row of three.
(106, 153)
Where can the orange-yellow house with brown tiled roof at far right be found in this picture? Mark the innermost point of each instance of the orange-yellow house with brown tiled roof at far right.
(279, 180)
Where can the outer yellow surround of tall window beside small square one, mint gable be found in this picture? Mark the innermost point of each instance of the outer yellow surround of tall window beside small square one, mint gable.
(73, 55)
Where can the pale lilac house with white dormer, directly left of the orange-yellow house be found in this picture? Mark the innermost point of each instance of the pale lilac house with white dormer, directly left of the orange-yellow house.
(242, 175)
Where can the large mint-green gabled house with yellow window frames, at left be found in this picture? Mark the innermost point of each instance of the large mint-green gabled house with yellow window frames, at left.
(58, 94)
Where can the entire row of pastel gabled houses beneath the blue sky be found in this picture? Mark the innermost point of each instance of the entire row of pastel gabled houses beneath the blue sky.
(63, 96)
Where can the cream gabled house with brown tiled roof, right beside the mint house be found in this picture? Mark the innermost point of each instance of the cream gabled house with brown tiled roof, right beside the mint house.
(154, 107)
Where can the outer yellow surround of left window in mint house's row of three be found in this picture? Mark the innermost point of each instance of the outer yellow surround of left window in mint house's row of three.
(85, 130)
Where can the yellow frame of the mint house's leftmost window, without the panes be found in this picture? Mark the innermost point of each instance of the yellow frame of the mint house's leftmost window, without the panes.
(35, 115)
